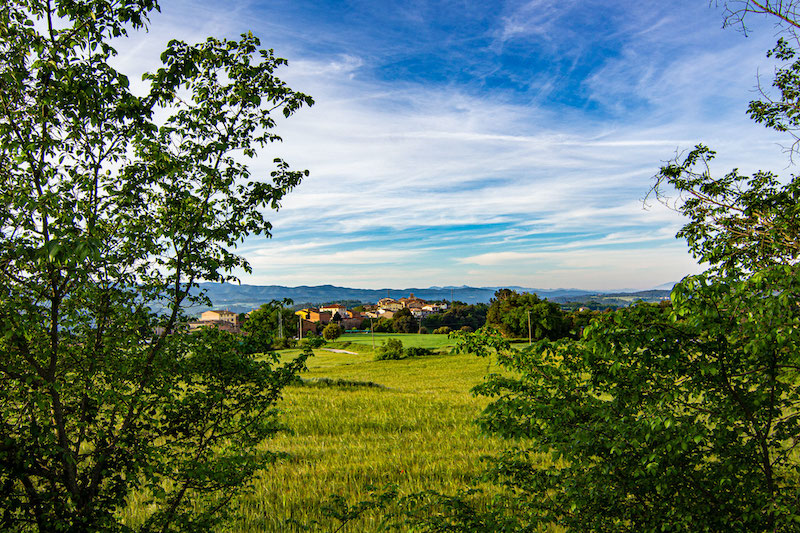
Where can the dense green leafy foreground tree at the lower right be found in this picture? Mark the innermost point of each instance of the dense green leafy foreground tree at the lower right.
(685, 415)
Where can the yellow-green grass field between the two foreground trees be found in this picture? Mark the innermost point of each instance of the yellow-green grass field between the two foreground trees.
(416, 430)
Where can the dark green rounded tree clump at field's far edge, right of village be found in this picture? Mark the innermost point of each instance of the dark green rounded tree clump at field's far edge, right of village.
(513, 314)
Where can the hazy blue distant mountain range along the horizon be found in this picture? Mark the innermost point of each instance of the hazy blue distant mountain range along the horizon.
(243, 298)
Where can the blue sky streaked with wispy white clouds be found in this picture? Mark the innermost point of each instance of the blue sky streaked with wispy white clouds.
(506, 143)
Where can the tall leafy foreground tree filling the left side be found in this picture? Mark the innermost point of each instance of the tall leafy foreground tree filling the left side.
(114, 206)
